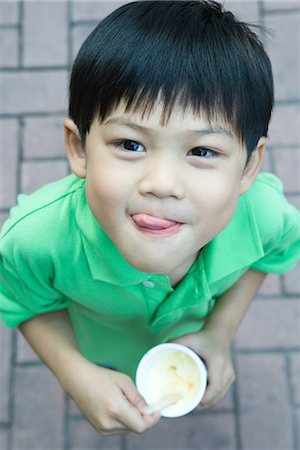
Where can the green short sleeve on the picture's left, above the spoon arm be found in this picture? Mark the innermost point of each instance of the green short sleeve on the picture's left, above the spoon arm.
(25, 282)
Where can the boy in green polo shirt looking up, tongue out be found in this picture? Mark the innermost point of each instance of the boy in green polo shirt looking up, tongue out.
(162, 232)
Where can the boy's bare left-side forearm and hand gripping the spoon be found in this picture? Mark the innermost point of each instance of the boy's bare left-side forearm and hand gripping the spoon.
(108, 399)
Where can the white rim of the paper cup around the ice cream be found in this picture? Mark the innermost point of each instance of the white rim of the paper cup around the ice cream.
(144, 364)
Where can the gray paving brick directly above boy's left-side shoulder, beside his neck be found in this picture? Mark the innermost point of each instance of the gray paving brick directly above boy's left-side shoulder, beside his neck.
(34, 174)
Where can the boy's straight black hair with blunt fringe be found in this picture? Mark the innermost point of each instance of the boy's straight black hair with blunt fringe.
(191, 53)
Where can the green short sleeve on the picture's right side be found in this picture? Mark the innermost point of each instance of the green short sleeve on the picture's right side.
(279, 226)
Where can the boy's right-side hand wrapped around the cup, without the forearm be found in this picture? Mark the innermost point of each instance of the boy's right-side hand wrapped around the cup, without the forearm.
(215, 350)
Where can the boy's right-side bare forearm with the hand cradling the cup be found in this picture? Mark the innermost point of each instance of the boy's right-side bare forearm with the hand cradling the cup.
(213, 341)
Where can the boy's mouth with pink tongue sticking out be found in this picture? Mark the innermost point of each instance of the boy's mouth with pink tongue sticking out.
(153, 225)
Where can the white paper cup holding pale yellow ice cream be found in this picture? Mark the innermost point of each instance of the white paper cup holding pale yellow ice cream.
(155, 382)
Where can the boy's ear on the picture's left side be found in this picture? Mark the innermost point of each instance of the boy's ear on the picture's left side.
(75, 151)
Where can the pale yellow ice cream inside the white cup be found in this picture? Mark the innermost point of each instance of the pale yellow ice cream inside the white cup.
(174, 374)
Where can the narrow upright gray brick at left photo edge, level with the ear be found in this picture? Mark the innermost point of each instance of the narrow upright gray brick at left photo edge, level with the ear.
(9, 130)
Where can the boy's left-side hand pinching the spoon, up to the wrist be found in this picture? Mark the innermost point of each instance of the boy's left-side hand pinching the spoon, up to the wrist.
(109, 400)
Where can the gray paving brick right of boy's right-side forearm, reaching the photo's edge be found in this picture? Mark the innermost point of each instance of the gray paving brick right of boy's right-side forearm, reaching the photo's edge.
(270, 324)
